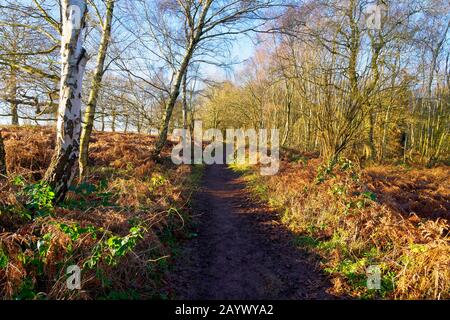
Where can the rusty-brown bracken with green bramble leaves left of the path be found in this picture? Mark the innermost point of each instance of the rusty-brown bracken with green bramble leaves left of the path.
(130, 192)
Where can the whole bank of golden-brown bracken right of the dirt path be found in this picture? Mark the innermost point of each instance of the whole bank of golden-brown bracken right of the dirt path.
(403, 230)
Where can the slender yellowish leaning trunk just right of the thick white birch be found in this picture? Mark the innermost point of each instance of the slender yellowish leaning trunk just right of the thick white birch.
(88, 123)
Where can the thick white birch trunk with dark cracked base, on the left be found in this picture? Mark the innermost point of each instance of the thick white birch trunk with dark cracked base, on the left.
(63, 167)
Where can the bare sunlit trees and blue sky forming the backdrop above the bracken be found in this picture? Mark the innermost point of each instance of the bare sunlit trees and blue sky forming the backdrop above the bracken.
(319, 74)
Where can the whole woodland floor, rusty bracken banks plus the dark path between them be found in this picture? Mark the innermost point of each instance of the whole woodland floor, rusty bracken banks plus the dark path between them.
(236, 246)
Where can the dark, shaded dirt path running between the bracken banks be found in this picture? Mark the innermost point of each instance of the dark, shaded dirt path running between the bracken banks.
(241, 251)
